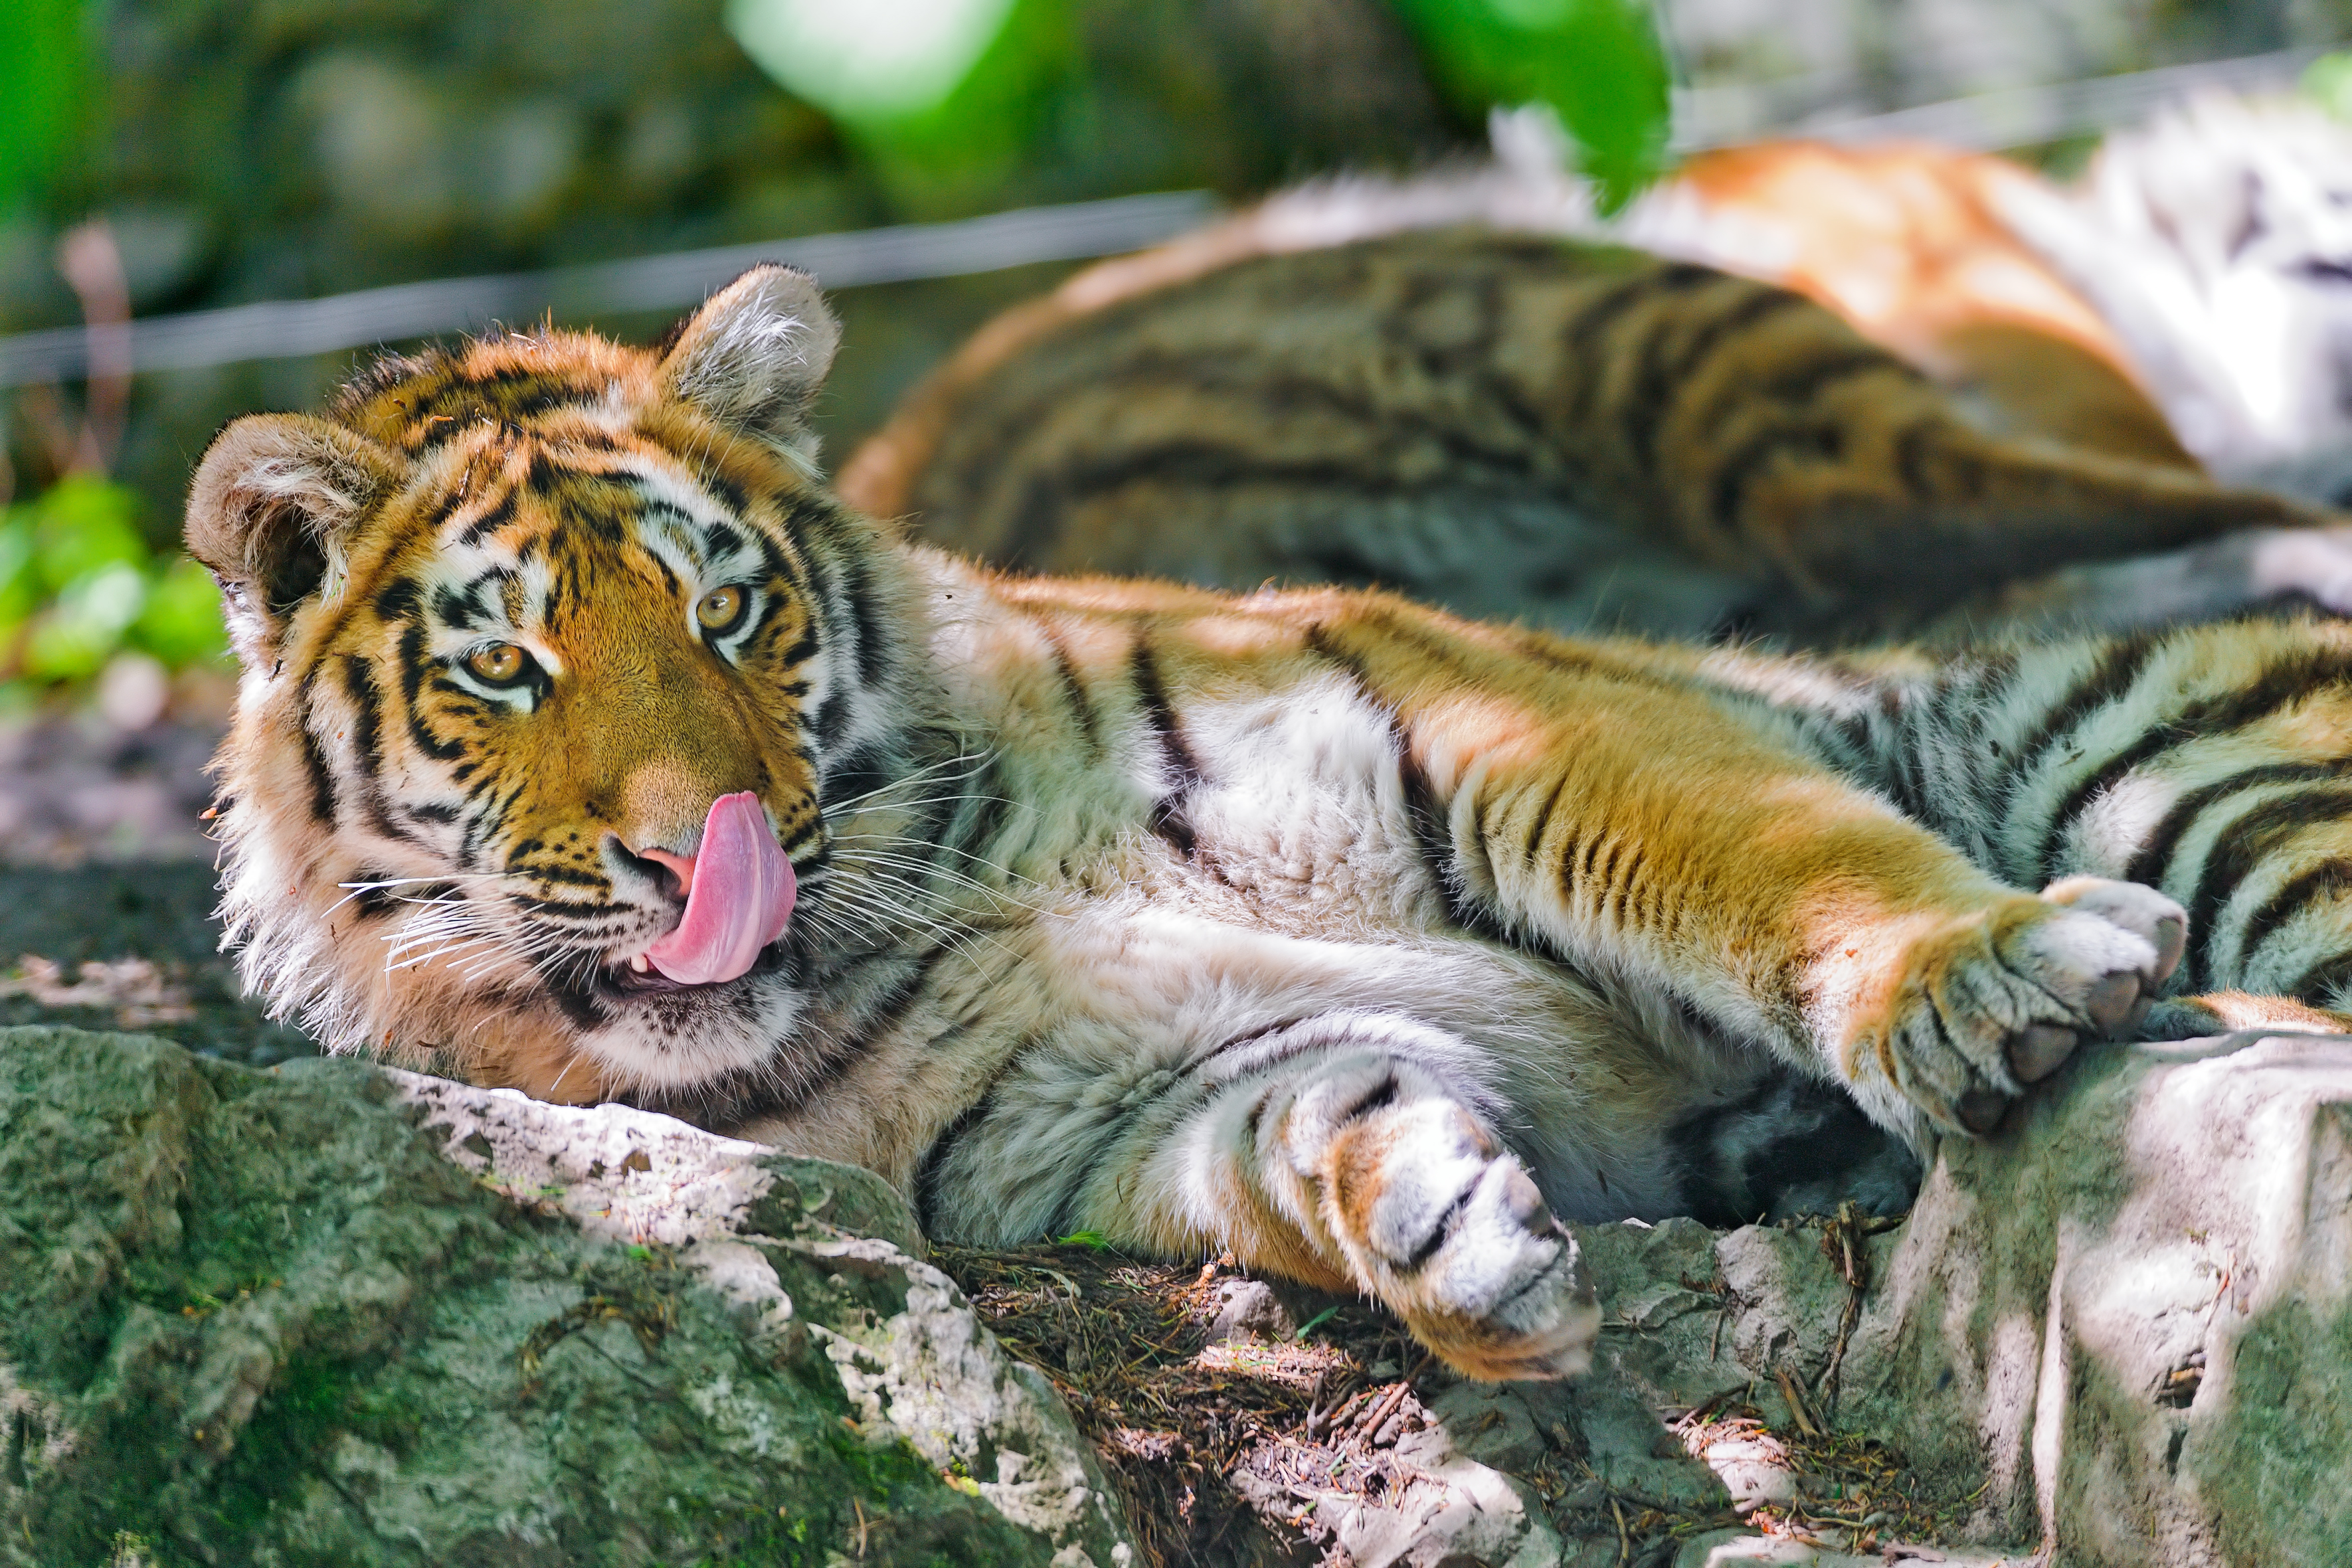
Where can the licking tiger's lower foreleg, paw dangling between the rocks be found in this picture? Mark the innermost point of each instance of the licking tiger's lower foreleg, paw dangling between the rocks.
(1356, 1153)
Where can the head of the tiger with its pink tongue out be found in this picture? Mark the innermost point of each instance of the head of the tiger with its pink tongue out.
(556, 657)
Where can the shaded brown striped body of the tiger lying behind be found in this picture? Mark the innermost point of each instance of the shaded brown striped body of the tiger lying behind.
(1504, 424)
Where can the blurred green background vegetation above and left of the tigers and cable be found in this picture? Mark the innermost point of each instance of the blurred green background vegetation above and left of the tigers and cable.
(182, 154)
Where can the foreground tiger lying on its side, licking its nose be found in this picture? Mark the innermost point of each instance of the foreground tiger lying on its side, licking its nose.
(589, 746)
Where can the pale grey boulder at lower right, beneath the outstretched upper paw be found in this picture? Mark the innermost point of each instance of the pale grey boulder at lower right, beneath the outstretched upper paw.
(2132, 1318)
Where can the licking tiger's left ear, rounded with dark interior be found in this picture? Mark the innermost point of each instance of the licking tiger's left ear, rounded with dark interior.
(269, 514)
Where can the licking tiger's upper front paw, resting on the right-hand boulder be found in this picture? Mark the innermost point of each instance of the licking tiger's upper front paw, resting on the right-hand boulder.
(1998, 1000)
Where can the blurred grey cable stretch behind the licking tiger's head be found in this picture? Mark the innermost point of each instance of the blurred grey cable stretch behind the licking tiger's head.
(293, 328)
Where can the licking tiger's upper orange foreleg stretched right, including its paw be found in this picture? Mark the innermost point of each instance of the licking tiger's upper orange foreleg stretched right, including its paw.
(1706, 859)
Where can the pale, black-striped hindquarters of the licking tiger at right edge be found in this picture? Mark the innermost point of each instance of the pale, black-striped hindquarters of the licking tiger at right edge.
(2207, 763)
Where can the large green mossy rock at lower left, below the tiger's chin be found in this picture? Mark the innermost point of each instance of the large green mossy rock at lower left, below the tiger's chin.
(333, 1315)
